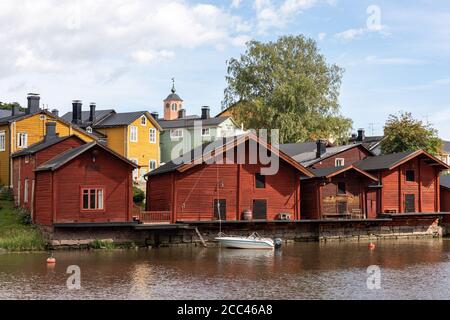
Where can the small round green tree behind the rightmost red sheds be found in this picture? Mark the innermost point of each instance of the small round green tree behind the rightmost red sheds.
(404, 133)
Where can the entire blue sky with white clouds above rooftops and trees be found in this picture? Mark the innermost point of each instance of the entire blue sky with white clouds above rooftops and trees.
(123, 54)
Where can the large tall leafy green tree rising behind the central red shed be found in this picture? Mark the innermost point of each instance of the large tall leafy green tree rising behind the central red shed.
(287, 85)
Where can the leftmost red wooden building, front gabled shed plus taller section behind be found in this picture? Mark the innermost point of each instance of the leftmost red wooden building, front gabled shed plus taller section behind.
(70, 182)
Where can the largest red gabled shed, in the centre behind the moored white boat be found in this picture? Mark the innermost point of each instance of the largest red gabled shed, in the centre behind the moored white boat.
(199, 189)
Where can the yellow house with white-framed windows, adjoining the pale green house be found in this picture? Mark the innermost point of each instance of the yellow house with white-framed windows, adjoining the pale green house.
(134, 135)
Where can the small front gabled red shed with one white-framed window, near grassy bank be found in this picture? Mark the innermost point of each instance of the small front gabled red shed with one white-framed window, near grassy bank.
(87, 184)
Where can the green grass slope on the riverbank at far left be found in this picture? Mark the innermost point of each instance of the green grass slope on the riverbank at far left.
(16, 232)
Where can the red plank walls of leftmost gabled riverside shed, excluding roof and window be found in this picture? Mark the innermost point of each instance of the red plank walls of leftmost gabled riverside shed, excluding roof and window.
(63, 204)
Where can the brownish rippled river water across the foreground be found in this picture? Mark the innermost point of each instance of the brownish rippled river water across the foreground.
(413, 269)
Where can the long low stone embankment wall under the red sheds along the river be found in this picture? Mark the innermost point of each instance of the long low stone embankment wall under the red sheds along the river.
(348, 230)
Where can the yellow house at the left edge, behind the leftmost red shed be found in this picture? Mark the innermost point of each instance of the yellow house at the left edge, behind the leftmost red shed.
(19, 130)
